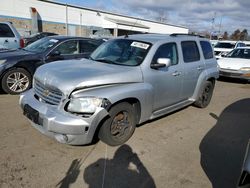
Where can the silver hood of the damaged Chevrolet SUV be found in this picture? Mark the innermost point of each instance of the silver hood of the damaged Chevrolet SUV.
(73, 74)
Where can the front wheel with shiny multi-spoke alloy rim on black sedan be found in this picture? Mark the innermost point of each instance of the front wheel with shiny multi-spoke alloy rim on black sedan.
(16, 81)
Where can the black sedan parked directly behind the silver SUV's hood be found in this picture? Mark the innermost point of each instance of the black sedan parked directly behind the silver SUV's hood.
(18, 66)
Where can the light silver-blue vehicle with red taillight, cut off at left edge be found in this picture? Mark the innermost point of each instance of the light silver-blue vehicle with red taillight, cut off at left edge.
(9, 37)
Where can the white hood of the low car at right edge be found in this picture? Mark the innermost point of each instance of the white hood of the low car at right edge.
(233, 63)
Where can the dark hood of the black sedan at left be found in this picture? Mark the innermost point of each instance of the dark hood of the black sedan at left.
(7, 54)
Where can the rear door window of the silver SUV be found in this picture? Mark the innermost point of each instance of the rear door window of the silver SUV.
(190, 51)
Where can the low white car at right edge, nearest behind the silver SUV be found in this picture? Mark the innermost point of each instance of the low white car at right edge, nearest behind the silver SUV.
(236, 64)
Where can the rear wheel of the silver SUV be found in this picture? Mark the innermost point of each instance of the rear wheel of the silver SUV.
(205, 95)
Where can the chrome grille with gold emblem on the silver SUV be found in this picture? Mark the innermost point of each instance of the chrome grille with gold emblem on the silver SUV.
(47, 94)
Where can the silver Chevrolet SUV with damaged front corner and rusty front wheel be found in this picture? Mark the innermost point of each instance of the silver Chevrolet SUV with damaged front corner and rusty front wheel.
(126, 81)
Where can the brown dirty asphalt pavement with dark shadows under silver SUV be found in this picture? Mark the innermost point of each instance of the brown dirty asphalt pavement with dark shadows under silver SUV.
(190, 148)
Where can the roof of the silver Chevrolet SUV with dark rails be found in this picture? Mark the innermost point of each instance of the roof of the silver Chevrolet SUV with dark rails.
(153, 38)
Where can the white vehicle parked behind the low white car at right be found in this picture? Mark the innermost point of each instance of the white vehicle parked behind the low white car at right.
(222, 48)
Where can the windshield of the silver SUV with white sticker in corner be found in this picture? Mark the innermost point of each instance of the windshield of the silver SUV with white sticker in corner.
(122, 52)
